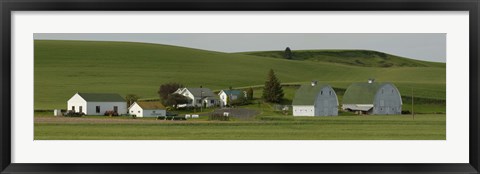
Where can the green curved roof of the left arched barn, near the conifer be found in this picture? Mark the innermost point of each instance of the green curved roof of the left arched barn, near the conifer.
(307, 94)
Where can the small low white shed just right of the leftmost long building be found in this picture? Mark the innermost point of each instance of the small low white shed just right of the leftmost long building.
(147, 109)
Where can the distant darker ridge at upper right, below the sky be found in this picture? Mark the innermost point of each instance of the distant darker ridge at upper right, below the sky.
(364, 58)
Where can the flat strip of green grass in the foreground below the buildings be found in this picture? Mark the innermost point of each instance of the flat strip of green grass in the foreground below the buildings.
(399, 127)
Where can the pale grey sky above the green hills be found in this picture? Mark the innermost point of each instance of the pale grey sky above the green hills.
(420, 46)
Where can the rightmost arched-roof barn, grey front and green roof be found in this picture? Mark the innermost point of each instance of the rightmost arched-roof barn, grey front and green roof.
(372, 98)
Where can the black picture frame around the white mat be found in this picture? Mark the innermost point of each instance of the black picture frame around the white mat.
(8, 6)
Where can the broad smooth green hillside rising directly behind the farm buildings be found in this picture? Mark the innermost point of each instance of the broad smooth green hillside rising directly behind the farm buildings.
(62, 68)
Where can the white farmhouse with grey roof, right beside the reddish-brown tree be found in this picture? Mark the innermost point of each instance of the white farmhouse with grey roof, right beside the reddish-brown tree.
(198, 96)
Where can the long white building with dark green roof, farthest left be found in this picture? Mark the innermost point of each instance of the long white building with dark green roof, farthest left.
(97, 103)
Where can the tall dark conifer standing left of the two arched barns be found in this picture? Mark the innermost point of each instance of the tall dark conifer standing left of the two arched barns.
(272, 92)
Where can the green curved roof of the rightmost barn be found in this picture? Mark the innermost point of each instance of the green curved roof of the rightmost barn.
(362, 93)
